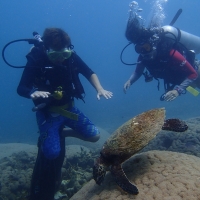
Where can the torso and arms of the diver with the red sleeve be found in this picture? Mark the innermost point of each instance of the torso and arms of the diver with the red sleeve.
(173, 67)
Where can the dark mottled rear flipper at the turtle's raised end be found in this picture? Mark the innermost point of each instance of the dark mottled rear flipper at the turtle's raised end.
(176, 125)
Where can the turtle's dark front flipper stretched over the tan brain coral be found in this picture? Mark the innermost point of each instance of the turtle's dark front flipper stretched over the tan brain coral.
(122, 181)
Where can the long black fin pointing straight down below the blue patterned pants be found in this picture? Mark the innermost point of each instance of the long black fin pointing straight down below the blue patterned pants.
(46, 175)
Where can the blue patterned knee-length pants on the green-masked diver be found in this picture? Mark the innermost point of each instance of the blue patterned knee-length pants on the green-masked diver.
(51, 126)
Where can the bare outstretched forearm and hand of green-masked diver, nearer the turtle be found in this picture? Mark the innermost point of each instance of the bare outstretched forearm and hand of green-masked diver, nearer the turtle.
(97, 85)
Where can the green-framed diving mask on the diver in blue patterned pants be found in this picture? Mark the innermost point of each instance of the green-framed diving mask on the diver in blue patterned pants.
(59, 56)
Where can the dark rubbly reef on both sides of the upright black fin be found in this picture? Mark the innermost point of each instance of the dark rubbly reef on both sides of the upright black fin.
(16, 171)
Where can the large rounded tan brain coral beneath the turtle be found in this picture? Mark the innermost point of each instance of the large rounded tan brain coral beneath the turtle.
(159, 175)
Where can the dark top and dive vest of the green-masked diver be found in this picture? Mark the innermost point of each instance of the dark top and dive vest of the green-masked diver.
(40, 74)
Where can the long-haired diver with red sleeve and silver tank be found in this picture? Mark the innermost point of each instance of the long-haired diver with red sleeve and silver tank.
(166, 53)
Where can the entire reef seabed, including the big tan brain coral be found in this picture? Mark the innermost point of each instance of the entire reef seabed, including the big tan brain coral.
(149, 174)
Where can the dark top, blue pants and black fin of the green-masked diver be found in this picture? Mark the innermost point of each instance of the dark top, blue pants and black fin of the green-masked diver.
(41, 75)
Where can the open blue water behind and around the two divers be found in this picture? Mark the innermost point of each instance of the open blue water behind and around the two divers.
(97, 30)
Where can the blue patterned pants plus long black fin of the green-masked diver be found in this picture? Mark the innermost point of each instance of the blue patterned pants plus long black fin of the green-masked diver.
(51, 150)
